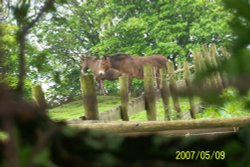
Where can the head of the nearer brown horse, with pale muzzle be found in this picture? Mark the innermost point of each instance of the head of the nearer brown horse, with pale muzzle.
(103, 64)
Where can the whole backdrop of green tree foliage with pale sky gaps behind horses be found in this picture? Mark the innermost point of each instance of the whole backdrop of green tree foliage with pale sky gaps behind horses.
(103, 27)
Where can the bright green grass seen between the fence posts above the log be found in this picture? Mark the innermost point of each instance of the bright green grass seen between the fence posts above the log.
(234, 107)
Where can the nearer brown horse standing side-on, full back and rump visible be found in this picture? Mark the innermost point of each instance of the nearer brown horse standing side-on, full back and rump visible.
(132, 65)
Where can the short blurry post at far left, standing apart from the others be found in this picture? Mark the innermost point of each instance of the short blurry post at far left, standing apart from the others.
(38, 96)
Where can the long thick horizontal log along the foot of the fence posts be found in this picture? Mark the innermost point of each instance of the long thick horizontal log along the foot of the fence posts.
(153, 126)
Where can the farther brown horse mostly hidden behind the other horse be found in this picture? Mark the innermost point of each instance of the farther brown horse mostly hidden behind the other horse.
(94, 64)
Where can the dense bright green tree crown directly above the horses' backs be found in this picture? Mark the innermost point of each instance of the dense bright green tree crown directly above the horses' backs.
(165, 27)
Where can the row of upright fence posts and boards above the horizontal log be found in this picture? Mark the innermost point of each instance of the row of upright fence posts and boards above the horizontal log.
(171, 81)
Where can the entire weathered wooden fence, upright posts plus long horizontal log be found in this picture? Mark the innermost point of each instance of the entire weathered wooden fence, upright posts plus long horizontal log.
(171, 81)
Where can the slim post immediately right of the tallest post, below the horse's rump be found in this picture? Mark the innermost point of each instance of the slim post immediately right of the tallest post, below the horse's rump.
(165, 93)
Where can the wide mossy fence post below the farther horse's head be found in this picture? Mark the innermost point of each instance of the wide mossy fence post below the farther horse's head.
(89, 97)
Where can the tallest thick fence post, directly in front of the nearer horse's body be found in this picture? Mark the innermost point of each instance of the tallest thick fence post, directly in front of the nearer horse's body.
(149, 92)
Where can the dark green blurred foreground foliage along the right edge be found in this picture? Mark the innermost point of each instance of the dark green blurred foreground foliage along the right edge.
(236, 68)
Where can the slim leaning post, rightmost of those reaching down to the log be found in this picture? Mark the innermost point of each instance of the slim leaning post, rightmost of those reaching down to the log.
(187, 77)
